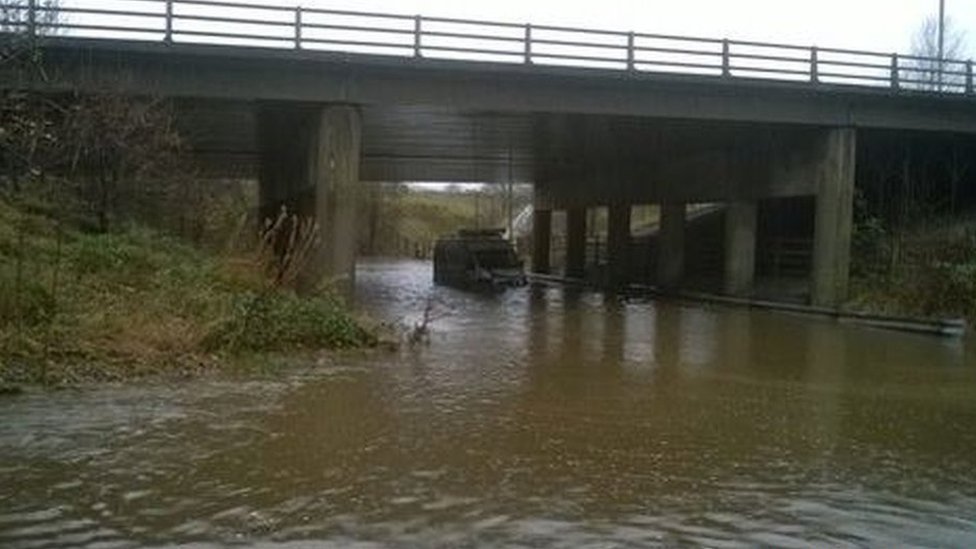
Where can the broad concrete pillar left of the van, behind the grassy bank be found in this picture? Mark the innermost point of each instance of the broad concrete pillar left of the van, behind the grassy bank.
(309, 164)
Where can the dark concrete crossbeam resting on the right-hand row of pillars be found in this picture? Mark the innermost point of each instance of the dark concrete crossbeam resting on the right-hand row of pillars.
(750, 166)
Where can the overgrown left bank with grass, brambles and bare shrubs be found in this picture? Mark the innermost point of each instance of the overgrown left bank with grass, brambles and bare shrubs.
(119, 259)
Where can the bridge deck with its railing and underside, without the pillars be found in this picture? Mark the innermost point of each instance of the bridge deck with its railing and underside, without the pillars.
(434, 110)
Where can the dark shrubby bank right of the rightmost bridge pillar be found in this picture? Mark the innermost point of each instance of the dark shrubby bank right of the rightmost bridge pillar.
(914, 244)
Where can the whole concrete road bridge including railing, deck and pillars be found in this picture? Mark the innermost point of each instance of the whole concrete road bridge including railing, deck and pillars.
(312, 102)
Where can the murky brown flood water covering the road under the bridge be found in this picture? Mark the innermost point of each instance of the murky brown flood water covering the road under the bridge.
(539, 417)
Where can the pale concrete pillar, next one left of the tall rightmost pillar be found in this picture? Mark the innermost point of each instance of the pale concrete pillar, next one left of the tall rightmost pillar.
(740, 247)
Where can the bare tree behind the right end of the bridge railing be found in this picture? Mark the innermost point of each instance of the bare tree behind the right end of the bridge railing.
(924, 70)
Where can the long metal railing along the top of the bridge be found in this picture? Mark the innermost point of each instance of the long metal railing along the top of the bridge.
(300, 28)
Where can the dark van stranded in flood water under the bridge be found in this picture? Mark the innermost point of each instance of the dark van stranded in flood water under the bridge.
(479, 258)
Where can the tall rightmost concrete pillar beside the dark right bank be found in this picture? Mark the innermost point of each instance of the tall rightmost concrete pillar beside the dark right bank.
(834, 218)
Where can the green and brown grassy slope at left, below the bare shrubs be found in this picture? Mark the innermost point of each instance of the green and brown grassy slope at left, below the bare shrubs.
(132, 303)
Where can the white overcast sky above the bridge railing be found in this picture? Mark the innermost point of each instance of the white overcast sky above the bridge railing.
(882, 25)
